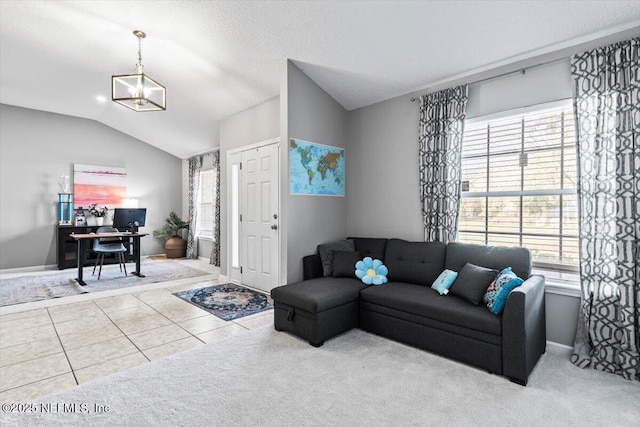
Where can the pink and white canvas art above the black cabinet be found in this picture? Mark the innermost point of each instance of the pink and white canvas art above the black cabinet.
(103, 185)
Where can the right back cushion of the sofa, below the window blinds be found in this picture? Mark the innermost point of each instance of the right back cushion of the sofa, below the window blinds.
(496, 257)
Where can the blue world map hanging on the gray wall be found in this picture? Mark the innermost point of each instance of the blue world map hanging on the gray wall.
(315, 169)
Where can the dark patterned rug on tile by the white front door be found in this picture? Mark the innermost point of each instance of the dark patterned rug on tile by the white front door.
(227, 301)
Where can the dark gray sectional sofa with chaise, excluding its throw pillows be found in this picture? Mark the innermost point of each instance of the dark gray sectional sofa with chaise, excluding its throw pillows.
(408, 310)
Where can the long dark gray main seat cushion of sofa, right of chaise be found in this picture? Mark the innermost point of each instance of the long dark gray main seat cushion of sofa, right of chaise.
(424, 301)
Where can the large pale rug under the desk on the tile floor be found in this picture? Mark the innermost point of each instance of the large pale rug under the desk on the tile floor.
(38, 287)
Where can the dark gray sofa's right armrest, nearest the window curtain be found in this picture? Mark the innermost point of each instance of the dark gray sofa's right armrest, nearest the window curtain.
(523, 329)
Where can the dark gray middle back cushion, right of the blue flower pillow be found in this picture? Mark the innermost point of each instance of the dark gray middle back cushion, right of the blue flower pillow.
(414, 262)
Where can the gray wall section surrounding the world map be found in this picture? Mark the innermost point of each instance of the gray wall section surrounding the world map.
(312, 115)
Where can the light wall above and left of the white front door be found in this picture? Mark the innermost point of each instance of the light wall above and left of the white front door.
(256, 124)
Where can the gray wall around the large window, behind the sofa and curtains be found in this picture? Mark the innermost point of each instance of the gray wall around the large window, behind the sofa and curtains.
(382, 165)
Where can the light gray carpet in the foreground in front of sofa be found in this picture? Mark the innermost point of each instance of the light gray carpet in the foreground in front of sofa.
(268, 378)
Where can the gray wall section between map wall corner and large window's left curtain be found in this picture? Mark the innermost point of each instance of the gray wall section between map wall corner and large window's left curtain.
(382, 171)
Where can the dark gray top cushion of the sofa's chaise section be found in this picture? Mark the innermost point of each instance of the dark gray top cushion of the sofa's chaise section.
(319, 294)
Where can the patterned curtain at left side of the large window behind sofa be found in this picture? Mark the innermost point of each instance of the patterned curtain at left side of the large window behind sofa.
(441, 126)
